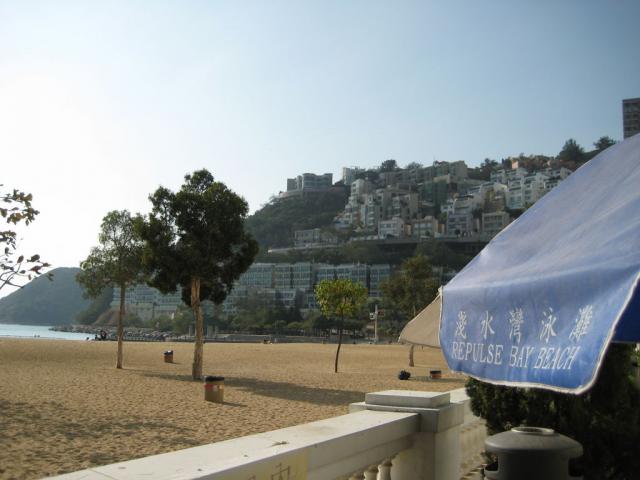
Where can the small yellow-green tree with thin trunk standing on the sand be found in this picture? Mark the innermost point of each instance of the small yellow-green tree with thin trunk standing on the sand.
(340, 299)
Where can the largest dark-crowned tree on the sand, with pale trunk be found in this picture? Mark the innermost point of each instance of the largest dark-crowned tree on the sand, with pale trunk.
(195, 239)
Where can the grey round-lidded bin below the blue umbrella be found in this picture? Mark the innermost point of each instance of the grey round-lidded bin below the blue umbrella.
(528, 453)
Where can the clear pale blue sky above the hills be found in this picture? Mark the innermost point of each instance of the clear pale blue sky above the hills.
(101, 102)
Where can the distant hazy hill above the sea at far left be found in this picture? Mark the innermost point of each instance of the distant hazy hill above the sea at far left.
(45, 302)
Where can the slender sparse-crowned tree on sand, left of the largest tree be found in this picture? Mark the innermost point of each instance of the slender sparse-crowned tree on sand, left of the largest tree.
(117, 262)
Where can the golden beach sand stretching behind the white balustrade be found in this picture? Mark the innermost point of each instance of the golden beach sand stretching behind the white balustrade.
(65, 407)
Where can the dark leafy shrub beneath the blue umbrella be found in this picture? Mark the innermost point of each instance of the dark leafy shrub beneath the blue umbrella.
(605, 419)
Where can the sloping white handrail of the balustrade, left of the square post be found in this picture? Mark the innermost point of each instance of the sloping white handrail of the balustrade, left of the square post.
(324, 449)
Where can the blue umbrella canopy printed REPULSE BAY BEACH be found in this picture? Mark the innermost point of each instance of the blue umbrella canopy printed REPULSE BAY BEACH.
(540, 304)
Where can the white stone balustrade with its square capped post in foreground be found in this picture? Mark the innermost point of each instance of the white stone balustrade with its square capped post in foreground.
(391, 435)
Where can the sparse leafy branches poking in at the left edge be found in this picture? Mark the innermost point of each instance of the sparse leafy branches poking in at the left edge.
(15, 207)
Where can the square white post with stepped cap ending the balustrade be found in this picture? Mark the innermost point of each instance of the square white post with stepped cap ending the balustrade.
(435, 453)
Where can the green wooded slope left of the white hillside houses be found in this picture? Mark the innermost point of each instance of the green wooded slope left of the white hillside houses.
(273, 225)
